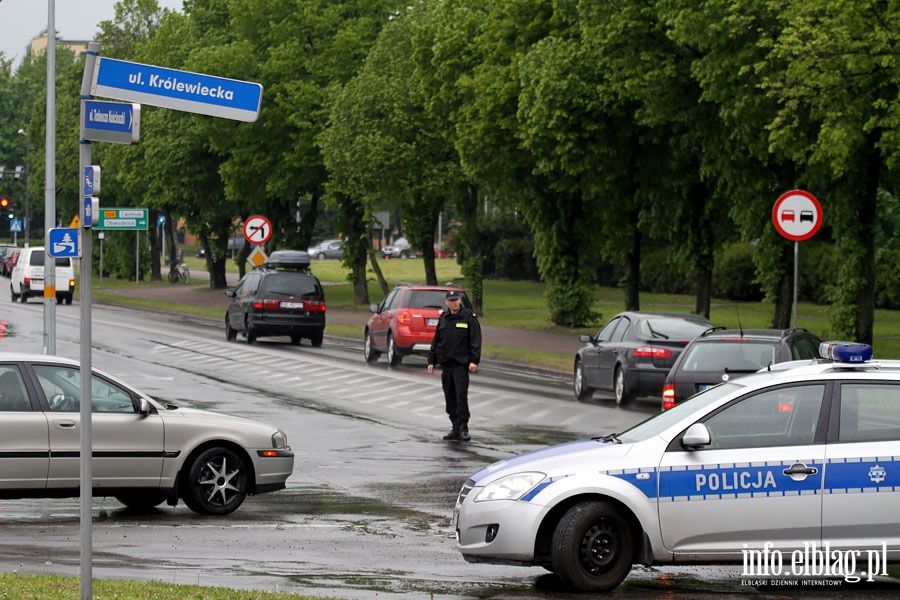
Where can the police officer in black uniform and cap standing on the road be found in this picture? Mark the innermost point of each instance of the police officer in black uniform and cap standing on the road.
(457, 348)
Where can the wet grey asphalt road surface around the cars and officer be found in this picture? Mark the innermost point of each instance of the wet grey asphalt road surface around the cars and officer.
(367, 511)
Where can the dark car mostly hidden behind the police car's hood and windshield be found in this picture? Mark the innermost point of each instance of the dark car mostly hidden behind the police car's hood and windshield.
(722, 354)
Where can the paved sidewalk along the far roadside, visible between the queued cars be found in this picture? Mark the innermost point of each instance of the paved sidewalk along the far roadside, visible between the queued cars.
(196, 294)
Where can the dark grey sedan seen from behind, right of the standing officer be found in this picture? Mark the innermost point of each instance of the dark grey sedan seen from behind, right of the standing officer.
(633, 352)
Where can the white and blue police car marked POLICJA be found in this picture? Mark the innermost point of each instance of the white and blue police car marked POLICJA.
(794, 456)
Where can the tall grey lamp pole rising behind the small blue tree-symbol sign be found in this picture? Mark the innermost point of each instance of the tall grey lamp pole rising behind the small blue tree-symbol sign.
(50, 182)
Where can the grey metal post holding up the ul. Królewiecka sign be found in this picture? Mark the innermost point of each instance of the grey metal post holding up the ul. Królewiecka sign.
(86, 455)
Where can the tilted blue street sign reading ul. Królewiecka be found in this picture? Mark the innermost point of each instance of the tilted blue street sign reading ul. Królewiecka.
(180, 90)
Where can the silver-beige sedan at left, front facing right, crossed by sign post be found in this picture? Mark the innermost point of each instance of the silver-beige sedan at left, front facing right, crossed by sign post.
(145, 452)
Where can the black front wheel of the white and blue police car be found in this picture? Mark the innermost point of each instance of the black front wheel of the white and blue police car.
(592, 547)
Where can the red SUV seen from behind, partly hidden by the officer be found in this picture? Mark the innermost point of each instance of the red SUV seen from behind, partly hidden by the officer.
(404, 323)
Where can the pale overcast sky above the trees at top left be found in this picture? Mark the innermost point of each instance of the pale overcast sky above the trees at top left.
(21, 20)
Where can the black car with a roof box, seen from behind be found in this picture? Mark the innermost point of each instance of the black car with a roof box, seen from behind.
(279, 297)
